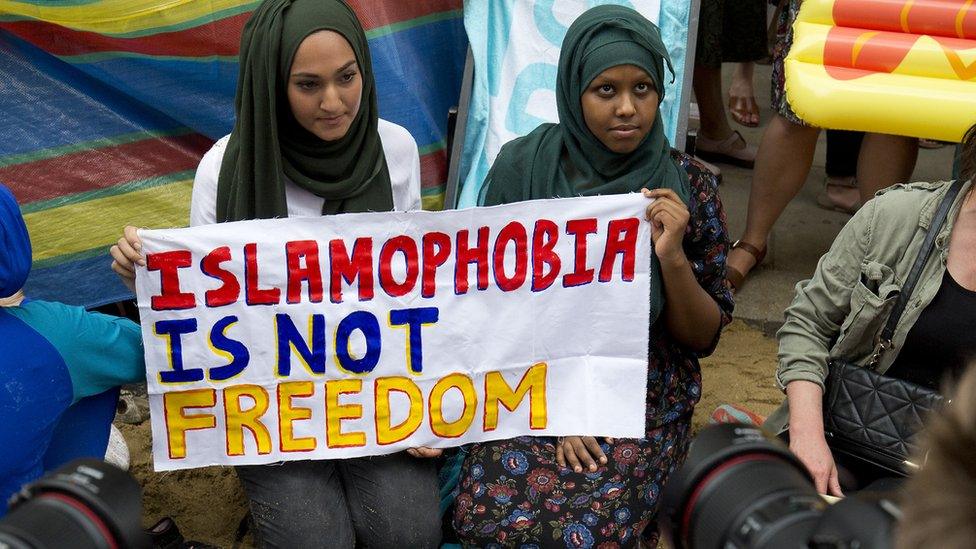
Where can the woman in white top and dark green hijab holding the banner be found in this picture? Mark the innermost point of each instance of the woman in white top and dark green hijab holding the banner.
(307, 141)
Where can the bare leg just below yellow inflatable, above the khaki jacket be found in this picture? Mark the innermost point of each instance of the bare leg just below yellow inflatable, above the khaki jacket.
(884, 161)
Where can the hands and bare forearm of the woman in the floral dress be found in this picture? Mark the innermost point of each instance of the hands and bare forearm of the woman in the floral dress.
(691, 315)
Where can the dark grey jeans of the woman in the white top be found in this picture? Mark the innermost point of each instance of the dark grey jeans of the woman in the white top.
(381, 501)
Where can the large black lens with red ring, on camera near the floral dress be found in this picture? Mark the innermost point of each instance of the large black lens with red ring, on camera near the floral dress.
(739, 487)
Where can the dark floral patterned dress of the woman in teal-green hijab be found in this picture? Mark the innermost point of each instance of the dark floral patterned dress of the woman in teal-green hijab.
(513, 494)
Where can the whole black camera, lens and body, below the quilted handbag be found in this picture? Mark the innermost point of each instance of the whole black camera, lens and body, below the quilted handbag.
(742, 488)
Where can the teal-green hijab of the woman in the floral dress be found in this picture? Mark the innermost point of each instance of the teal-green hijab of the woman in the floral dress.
(566, 159)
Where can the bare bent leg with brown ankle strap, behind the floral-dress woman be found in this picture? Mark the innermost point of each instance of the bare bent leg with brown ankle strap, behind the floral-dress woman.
(782, 165)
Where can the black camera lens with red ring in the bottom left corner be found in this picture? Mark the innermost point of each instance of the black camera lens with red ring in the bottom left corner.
(87, 504)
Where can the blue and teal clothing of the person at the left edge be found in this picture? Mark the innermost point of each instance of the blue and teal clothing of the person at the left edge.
(51, 356)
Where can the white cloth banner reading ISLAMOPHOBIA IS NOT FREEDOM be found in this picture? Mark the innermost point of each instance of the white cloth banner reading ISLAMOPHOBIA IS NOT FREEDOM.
(365, 334)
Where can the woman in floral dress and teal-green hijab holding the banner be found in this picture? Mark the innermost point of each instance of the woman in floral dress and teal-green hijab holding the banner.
(580, 491)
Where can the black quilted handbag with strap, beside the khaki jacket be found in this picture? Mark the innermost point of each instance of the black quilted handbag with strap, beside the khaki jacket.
(876, 418)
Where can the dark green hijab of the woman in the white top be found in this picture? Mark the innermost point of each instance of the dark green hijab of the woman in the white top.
(268, 144)
